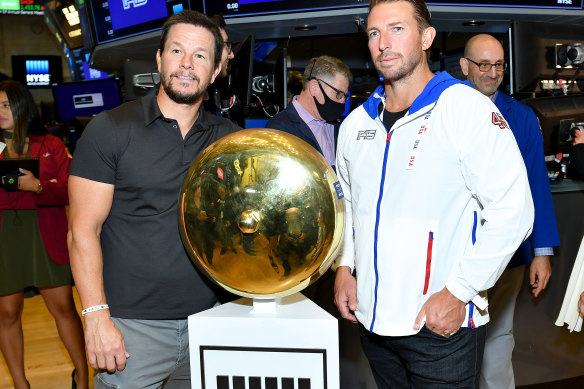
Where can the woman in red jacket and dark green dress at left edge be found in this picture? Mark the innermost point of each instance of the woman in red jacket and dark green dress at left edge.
(33, 234)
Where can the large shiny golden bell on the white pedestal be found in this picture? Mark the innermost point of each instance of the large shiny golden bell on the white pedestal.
(261, 213)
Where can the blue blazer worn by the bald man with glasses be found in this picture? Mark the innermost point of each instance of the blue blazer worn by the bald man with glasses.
(525, 127)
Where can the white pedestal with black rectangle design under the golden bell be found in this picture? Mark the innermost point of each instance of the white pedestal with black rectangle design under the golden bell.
(294, 348)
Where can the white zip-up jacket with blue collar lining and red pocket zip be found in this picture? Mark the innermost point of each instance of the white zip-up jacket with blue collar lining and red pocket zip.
(440, 199)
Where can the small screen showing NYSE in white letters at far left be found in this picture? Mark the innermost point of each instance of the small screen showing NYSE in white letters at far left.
(37, 71)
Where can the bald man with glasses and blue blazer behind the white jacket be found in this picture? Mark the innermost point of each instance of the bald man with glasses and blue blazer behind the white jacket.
(484, 65)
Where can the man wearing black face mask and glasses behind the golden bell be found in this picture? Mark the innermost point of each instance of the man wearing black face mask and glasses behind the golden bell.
(314, 114)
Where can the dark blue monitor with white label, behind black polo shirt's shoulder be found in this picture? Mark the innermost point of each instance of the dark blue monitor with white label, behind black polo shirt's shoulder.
(86, 98)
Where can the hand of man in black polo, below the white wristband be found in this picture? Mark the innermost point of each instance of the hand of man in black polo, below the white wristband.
(105, 343)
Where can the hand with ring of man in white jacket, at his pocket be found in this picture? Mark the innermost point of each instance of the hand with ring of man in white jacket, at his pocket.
(444, 313)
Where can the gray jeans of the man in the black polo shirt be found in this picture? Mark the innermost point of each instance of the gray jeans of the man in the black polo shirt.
(159, 356)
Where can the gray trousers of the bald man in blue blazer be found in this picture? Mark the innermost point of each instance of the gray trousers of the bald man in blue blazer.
(497, 369)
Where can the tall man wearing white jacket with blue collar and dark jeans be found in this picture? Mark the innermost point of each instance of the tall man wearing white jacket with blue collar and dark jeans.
(437, 202)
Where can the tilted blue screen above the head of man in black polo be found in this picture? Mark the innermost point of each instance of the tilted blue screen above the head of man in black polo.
(113, 20)
